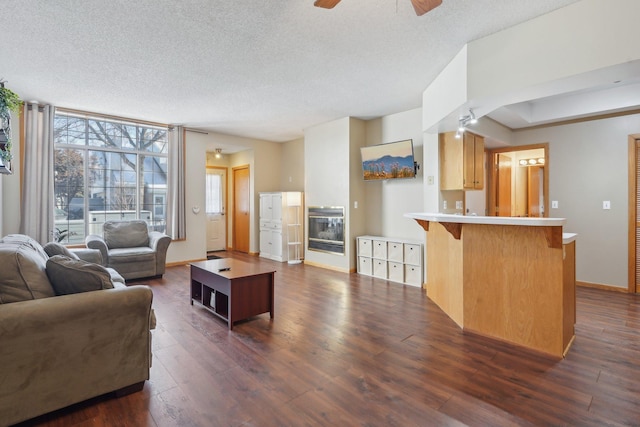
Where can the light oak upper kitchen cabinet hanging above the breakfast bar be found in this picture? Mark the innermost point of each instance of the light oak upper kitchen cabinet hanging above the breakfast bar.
(461, 161)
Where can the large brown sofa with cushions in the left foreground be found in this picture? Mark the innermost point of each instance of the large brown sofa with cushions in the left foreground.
(58, 348)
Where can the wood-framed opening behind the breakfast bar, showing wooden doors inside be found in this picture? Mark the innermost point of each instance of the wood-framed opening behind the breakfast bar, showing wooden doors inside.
(519, 181)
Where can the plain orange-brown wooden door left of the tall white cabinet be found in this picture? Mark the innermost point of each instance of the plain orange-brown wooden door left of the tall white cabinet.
(241, 208)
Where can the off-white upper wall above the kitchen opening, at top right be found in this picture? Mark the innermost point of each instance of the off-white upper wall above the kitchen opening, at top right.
(533, 59)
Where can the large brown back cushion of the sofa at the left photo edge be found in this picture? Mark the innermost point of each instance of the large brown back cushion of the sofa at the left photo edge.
(22, 273)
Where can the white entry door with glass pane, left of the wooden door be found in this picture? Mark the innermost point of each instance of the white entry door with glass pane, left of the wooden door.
(216, 185)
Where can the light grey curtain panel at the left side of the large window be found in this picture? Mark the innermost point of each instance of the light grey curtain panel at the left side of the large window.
(36, 213)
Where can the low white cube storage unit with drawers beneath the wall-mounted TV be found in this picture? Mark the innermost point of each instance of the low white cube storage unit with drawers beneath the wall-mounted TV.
(398, 260)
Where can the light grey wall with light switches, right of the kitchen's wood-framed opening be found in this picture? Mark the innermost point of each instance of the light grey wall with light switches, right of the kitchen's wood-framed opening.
(588, 164)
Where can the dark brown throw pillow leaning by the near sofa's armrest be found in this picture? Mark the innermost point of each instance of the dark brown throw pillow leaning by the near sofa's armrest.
(70, 276)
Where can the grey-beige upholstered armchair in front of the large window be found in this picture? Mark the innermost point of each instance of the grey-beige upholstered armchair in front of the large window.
(131, 249)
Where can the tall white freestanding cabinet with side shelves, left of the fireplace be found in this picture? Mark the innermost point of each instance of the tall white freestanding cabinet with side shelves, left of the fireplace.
(279, 222)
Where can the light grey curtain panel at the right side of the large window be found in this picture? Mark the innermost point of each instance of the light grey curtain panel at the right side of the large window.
(176, 211)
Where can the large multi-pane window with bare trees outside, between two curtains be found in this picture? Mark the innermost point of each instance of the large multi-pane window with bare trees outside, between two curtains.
(107, 170)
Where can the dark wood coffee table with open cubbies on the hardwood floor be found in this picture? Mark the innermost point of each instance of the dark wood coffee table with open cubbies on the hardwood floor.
(232, 290)
